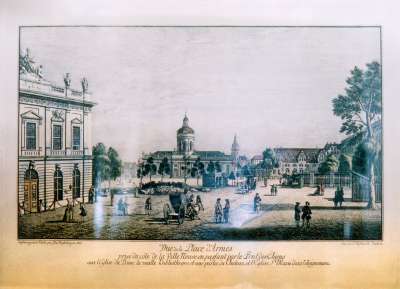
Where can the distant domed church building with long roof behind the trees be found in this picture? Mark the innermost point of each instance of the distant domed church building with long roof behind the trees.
(185, 155)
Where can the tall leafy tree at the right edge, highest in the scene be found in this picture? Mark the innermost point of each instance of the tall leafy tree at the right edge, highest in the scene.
(360, 108)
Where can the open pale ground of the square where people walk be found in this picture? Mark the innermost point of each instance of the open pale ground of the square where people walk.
(275, 221)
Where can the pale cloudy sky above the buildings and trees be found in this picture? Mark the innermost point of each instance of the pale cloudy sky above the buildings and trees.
(271, 86)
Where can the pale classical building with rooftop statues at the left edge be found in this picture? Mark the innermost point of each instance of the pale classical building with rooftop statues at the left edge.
(54, 140)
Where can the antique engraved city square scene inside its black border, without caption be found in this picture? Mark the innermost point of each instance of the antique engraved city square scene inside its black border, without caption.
(200, 133)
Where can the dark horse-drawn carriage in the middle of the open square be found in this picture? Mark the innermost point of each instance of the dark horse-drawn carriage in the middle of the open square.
(179, 208)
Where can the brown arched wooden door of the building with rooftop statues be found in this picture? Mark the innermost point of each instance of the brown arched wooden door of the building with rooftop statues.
(31, 191)
